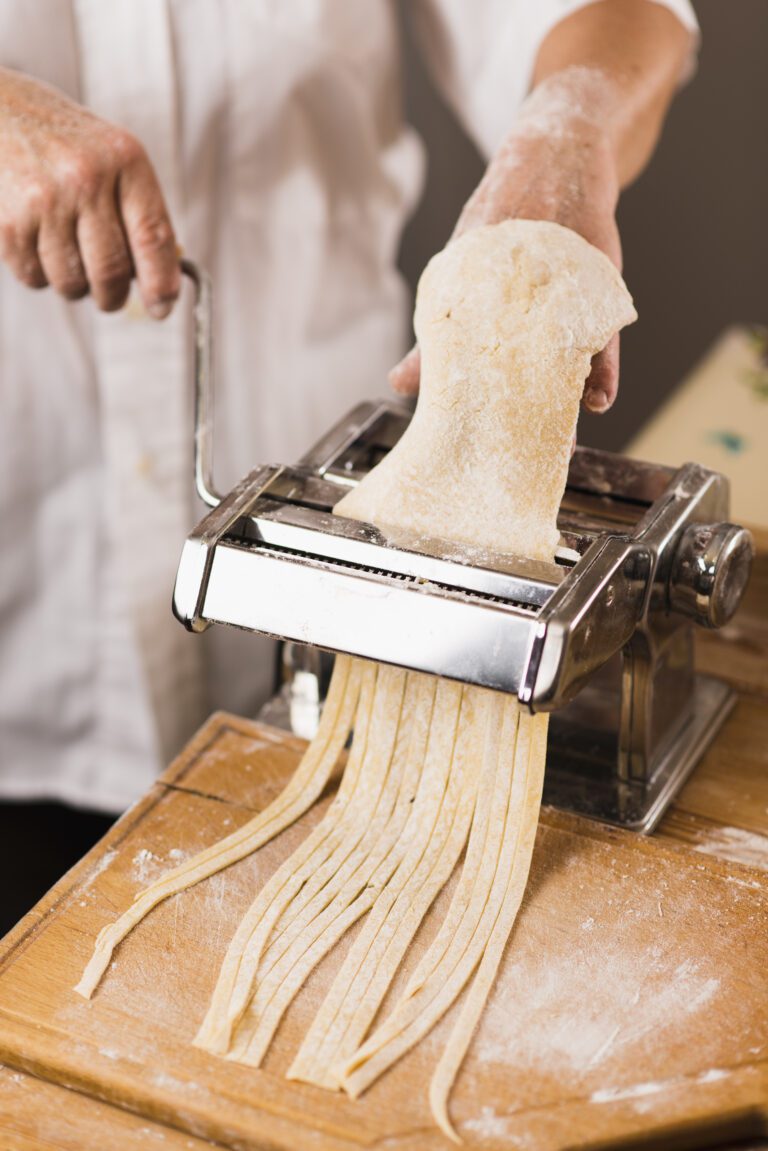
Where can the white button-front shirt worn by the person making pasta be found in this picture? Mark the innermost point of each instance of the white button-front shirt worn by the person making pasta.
(277, 133)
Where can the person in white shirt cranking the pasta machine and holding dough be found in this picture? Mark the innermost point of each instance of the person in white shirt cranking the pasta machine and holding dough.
(267, 141)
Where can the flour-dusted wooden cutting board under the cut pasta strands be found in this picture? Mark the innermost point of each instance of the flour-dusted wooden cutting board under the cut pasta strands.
(633, 998)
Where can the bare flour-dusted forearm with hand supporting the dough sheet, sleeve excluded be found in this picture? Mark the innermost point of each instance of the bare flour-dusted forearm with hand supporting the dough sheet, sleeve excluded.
(603, 82)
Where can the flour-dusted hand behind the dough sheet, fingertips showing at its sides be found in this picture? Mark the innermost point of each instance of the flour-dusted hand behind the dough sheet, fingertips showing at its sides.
(558, 165)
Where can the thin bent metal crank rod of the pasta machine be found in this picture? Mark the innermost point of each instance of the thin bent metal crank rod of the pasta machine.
(203, 368)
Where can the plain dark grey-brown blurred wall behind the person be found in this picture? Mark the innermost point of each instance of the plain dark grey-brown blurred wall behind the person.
(695, 226)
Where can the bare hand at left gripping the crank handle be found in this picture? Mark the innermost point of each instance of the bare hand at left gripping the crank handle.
(81, 208)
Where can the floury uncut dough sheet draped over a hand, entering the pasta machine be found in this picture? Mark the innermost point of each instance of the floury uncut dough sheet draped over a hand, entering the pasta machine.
(508, 319)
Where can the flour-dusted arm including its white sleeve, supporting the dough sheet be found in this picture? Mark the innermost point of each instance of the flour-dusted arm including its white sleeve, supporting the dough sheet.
(602, 82)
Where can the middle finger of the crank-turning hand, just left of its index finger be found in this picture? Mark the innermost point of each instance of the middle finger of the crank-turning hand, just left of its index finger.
(105, 255)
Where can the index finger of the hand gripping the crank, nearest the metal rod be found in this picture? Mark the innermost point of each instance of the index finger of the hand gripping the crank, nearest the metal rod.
(150, 237)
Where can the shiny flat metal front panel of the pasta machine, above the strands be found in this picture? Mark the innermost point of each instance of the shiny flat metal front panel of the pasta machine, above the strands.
(476, 642)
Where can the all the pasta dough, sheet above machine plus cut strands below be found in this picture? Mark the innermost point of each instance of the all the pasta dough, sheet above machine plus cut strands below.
(508, 318)
